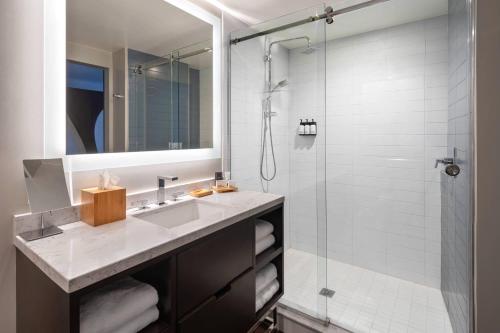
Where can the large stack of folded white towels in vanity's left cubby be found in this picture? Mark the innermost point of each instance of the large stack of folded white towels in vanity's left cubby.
(111, 306)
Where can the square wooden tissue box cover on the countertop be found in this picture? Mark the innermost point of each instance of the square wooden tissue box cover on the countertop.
(103, 206)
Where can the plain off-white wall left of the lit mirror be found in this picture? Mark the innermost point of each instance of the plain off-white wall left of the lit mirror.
(21, 96)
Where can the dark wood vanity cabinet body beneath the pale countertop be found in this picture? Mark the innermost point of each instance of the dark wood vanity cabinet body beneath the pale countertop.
(207, 285)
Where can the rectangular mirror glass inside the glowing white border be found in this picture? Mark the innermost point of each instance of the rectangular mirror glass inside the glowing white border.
(138, 77)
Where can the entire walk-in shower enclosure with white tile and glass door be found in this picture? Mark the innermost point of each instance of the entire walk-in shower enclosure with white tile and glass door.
(378, 235)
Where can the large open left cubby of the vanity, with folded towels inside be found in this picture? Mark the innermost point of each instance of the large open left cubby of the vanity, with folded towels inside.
(141, 299)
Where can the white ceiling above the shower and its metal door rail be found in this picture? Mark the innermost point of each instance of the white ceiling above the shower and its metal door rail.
(378, 16)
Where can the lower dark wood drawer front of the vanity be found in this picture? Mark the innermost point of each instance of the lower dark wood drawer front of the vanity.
(233, 310)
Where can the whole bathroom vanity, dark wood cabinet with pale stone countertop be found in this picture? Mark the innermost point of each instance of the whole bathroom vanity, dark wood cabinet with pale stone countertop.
(199, 254)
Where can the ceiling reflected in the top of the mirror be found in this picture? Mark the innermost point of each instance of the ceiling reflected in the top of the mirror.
(151, 26)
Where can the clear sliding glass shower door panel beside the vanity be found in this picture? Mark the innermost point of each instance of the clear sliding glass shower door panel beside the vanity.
(277, 92)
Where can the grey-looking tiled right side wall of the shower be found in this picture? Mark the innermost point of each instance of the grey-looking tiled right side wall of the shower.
(457, 216)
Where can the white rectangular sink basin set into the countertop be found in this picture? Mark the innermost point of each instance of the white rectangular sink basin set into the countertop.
(183, 212)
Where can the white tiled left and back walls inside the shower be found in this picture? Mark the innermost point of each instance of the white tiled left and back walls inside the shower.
(385, 123)
